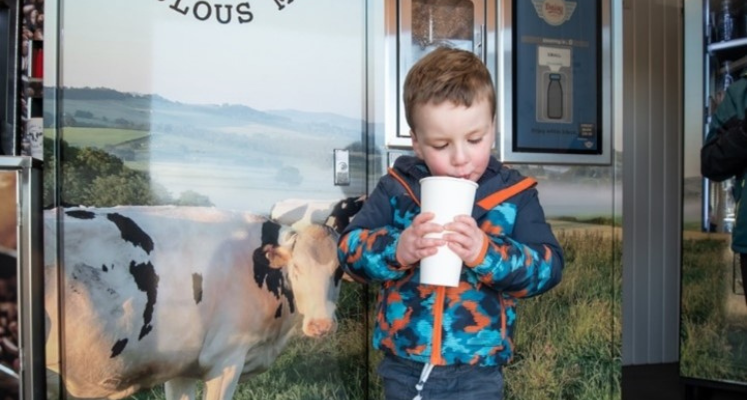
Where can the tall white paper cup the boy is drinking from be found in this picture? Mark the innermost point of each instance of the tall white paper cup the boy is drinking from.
(445, 197)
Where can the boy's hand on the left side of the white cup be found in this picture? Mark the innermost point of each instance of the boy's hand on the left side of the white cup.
(413, 245)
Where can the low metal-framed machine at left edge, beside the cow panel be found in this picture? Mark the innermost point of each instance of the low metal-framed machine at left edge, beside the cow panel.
(22, 318)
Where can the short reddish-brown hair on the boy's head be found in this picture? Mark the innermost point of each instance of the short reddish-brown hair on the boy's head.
(447, 74)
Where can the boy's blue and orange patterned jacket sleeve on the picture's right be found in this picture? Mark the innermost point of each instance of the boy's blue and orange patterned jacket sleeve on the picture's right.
(530, 261)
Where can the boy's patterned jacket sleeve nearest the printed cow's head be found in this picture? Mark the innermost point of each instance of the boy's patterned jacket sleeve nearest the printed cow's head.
(367, 247)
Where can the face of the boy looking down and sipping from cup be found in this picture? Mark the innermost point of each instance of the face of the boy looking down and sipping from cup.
(454, 140)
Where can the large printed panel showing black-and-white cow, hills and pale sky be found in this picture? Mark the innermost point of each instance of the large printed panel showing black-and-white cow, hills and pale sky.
(192, 214)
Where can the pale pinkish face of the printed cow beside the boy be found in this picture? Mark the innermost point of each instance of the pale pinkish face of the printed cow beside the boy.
(310, 256)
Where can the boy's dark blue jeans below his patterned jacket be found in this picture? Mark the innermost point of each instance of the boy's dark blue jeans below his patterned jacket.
(457, 382)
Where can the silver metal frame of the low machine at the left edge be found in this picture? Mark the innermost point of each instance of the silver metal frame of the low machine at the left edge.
(30, 258)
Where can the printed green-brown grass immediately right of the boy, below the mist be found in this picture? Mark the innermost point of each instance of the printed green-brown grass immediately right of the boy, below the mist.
(568, 341)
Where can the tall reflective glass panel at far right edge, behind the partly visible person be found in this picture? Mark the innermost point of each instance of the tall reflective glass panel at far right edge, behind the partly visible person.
(713, 334)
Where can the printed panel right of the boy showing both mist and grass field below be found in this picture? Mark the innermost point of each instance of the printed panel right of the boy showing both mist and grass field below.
(574, 330)
